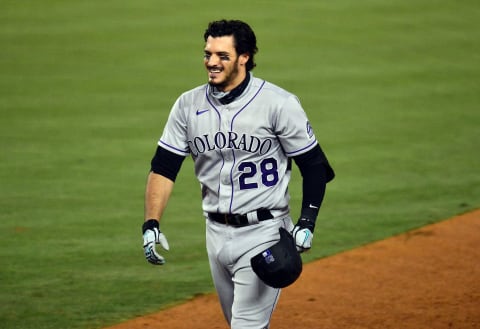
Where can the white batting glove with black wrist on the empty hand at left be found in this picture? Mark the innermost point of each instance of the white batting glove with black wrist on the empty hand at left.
(152, 236)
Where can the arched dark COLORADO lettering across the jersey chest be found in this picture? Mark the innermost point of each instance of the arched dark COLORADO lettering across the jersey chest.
(230, 140)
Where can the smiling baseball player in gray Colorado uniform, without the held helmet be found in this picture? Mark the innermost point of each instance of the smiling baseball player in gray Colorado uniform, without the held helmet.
(242, 133)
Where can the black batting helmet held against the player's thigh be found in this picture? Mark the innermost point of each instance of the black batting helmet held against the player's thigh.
(279, 265)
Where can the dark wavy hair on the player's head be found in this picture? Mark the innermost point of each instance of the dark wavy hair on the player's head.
(243, 35)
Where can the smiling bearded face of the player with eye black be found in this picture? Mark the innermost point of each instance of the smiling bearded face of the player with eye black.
(225, 68)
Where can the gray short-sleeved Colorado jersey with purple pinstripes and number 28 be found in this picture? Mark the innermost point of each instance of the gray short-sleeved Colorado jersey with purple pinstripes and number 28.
(241, 149)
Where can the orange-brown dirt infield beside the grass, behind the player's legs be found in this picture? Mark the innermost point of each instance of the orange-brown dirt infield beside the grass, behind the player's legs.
(426, 278)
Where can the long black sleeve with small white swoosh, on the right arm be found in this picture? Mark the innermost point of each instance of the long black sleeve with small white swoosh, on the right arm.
(316, 173)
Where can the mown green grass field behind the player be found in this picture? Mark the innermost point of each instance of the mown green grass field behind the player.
(392, 89)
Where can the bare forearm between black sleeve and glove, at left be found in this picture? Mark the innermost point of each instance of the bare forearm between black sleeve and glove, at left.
(158, 191)
